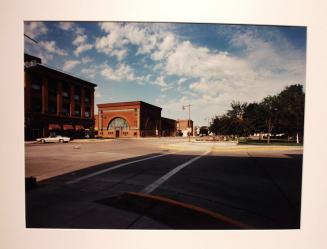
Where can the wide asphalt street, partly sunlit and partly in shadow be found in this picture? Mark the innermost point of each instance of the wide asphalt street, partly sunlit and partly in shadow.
(144, 184)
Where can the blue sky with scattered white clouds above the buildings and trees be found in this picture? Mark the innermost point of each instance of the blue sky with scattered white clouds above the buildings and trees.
(171, 64)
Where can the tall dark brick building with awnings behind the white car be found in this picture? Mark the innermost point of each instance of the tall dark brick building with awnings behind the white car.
(55, 102)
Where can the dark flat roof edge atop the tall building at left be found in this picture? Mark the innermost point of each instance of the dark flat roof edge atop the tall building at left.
(62, 74)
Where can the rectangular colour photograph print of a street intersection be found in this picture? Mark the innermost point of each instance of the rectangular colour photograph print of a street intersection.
(148, 125)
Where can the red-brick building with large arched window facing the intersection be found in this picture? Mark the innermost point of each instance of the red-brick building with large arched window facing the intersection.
(132, 119)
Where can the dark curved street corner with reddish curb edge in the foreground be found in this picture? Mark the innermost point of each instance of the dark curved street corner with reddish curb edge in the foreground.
(177, 215)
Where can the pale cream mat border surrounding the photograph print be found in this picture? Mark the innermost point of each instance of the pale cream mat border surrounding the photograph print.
(13, 233)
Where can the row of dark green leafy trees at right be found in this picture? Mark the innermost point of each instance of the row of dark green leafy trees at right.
(282, 113)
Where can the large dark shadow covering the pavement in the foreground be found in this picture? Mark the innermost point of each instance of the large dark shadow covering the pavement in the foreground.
(261, 192)
